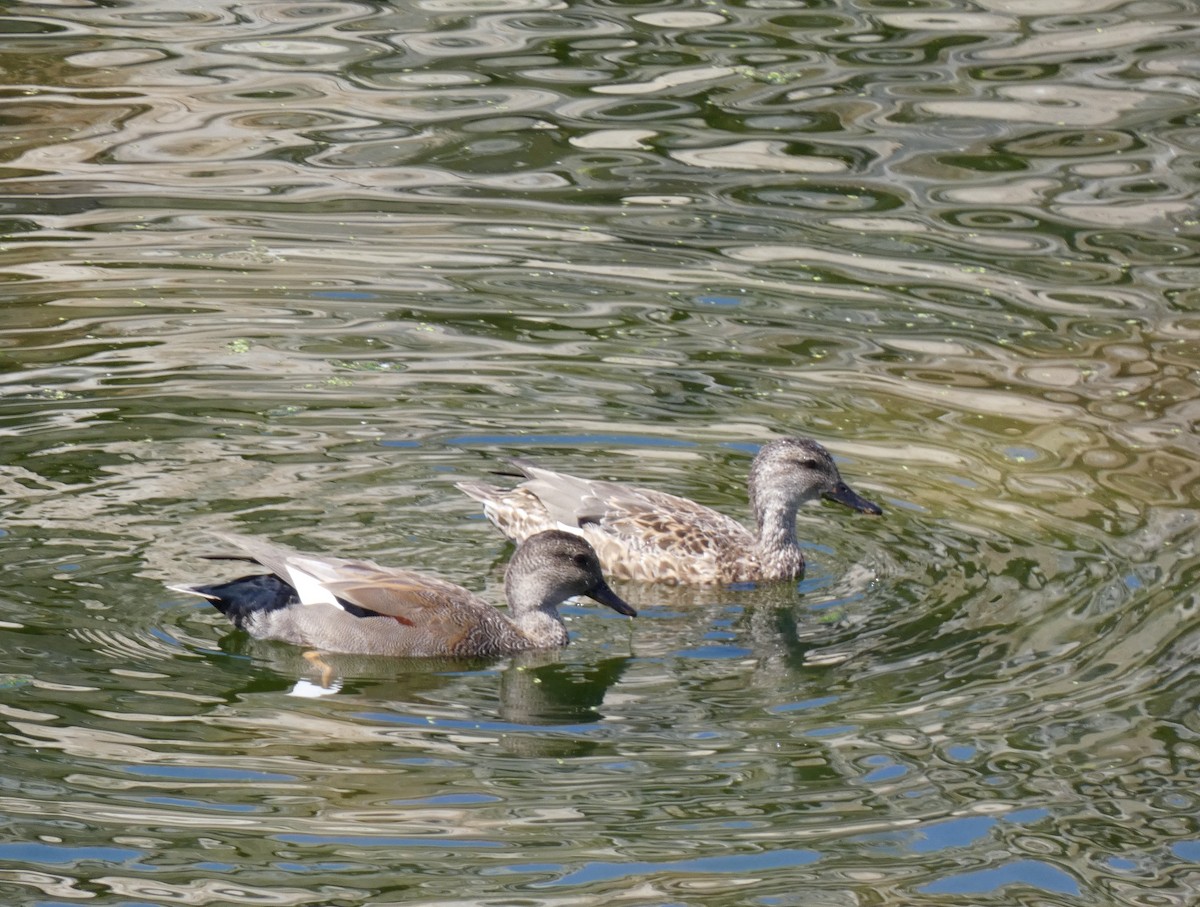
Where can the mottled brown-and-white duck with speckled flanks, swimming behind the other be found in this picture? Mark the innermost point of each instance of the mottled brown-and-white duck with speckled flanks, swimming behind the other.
(652, 537)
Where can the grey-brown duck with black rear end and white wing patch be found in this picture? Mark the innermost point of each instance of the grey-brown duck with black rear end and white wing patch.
(335, 605)
